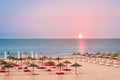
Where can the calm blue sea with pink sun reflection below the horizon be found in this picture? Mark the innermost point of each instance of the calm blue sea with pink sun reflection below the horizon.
(58, 47)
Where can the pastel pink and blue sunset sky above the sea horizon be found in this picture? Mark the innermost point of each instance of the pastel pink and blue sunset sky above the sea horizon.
(59, 18)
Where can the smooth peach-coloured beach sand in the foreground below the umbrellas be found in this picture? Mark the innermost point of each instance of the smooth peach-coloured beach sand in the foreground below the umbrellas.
(88, 71)
